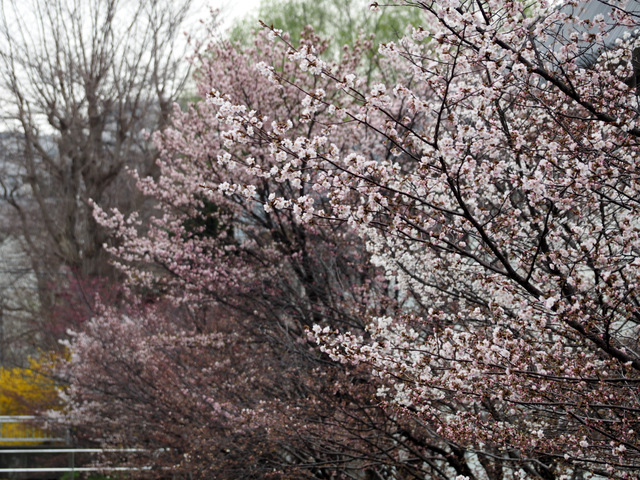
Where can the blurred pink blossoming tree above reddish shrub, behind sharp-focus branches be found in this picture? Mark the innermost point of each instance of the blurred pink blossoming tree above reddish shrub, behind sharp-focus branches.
(212, 240)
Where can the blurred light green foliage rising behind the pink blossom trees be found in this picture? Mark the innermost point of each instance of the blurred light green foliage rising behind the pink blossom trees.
(340, 20)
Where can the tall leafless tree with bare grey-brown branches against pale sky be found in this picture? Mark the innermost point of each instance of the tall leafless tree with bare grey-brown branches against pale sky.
(81, 81)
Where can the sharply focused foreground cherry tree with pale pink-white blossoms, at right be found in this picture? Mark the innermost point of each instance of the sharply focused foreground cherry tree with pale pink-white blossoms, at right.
(508, 219)
